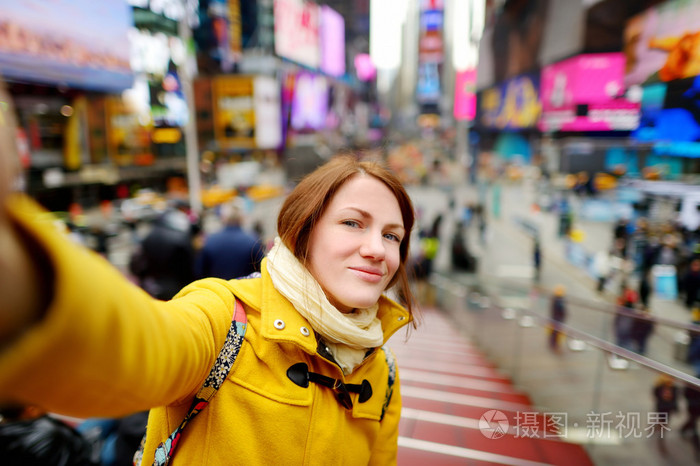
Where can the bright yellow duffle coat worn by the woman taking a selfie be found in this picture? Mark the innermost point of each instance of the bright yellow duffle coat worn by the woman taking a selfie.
(130, 352)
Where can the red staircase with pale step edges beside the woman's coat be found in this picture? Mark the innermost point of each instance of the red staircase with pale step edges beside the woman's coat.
(458, 409)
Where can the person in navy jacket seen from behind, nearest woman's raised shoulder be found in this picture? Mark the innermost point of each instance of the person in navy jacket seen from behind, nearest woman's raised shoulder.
(231, 252)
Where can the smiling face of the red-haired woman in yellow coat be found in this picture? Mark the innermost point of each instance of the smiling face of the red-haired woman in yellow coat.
(354, 247)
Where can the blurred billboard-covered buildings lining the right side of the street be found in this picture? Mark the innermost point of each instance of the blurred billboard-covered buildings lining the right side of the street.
(595, 86)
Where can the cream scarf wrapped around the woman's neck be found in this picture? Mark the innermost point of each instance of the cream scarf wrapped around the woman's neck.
(348, 336)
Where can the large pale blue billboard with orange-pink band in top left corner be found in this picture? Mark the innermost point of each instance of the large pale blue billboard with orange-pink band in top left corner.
(61, 43)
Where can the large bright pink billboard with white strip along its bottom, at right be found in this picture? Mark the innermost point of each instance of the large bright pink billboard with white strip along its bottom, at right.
(587, 93)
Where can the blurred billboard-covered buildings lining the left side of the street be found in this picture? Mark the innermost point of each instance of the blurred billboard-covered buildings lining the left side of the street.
(98, 120)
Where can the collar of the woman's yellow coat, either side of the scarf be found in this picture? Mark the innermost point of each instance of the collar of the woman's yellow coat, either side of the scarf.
(281, 322)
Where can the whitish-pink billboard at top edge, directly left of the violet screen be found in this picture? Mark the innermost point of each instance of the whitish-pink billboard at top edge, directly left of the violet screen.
(296, 31)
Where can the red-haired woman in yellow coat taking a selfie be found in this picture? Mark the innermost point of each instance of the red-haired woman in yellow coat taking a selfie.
(78, 338)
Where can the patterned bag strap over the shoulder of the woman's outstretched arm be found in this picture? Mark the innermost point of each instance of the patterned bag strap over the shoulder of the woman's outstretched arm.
(217, 375)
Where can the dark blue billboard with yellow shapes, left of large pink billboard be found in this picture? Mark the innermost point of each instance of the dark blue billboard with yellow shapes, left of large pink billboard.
(514, 104)
